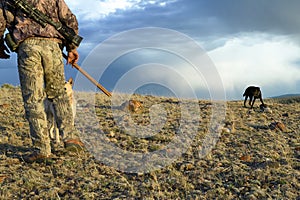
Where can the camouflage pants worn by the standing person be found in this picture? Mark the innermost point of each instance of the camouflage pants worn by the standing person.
(41, 72)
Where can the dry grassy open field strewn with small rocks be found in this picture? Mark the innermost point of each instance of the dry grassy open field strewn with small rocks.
(251, 161)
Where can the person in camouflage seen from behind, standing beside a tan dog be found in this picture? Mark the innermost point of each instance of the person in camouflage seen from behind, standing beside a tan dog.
(41, 69)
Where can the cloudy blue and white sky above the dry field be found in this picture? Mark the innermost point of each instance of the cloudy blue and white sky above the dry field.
(249, 42)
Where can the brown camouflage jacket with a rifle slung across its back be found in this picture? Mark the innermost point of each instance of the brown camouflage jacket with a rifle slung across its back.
(22, 27)
